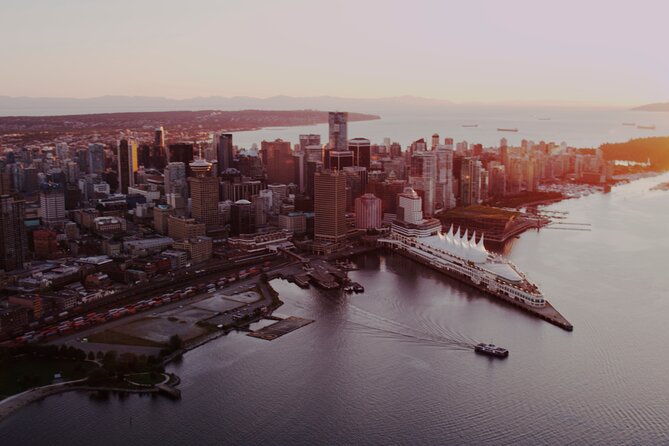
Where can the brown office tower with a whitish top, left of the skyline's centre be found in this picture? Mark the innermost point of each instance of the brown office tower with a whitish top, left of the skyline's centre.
(204, 194)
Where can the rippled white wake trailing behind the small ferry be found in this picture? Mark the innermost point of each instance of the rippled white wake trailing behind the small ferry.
(441, 336)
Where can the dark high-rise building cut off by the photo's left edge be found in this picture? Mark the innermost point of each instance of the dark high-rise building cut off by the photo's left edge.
(13, 238)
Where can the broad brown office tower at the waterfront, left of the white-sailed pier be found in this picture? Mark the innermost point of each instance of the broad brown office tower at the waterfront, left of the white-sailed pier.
(330, 206)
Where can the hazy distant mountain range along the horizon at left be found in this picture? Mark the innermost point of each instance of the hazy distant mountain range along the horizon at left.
(29, 106)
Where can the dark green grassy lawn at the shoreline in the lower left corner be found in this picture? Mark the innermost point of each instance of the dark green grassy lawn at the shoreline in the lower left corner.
(23, 373)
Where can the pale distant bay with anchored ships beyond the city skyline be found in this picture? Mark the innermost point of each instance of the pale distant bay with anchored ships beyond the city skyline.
(579, 127)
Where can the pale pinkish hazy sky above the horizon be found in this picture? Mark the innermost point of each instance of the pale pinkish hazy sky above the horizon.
(609, 52)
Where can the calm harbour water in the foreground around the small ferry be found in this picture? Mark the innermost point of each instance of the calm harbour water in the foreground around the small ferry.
(393, 365)
